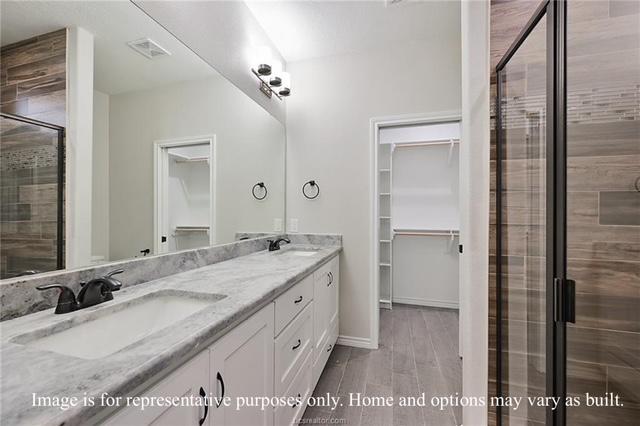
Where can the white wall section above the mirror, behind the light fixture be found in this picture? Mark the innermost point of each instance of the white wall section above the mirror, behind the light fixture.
(223, 33)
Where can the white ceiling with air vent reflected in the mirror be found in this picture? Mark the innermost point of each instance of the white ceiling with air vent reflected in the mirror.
(118, 68)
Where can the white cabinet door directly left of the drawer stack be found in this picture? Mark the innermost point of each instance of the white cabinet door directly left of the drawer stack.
(242, 367)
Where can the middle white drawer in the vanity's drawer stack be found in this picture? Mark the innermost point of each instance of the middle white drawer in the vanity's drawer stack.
(292, 347)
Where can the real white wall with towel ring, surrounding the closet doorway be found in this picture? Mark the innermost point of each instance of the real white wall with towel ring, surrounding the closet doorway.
(328, 121)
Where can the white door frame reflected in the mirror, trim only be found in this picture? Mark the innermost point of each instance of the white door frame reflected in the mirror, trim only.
(160, 164)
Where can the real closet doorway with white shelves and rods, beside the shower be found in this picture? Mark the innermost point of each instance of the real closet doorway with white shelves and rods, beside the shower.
(416, 215)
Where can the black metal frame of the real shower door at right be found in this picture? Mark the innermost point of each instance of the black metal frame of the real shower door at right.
(557, 298)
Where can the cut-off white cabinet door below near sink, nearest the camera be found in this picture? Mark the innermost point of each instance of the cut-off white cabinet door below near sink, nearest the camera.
(192, 379)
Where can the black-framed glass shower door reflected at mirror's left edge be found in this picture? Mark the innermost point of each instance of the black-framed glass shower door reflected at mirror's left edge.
(31, 200)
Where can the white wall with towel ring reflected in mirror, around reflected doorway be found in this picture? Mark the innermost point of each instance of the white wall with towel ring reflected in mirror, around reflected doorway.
(250, 148)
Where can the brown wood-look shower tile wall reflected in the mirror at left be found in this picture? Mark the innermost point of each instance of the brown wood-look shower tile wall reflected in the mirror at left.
(33, 84)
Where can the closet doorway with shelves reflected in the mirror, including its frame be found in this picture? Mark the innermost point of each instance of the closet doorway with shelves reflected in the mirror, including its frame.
(184, 208)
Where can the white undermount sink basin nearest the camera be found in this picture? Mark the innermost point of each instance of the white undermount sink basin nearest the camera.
(112, 328)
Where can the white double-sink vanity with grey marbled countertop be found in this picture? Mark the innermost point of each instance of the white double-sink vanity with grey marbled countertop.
(262, 325)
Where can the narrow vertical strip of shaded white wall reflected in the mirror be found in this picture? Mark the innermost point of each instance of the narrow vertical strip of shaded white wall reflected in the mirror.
(100, 195)
